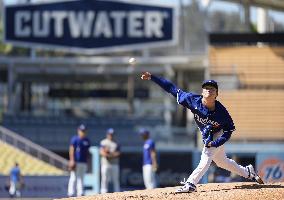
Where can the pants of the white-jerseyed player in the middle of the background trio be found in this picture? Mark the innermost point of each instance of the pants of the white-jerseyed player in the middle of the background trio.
(110, 173)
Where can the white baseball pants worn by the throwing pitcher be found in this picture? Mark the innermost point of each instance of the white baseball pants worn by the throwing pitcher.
(218, 155)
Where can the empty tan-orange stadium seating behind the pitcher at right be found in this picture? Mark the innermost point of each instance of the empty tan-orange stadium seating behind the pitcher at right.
(257, 106)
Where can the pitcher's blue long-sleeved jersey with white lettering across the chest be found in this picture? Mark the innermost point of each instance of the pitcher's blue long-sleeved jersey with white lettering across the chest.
(219, 118)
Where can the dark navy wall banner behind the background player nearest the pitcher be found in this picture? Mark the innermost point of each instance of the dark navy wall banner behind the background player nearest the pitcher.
(170, 173)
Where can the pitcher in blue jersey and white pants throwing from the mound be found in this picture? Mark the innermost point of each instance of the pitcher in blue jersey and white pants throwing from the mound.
(215, 125)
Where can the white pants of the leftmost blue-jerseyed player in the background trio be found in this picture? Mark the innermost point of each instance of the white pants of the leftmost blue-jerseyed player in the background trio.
(77, 176)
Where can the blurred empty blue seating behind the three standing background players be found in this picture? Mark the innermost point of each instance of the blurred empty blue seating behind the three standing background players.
(55, 132)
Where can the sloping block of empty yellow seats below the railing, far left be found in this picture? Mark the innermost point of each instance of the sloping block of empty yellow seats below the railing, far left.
(29, 165)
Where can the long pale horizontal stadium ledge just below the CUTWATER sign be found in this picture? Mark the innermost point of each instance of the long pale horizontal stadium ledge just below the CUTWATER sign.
(45, 69)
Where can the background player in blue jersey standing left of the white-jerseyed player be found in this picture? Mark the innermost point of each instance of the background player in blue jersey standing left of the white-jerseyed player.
(79, 154)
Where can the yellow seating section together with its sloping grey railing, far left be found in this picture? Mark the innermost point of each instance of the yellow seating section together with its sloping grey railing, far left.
(32, 159)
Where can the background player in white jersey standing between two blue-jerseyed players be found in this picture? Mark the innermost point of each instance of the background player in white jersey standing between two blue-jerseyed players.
(110, 152)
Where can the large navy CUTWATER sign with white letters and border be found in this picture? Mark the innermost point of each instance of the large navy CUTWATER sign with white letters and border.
(91, 26)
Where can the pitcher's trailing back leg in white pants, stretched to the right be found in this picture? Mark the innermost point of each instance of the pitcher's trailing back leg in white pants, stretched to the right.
(221, 160)
